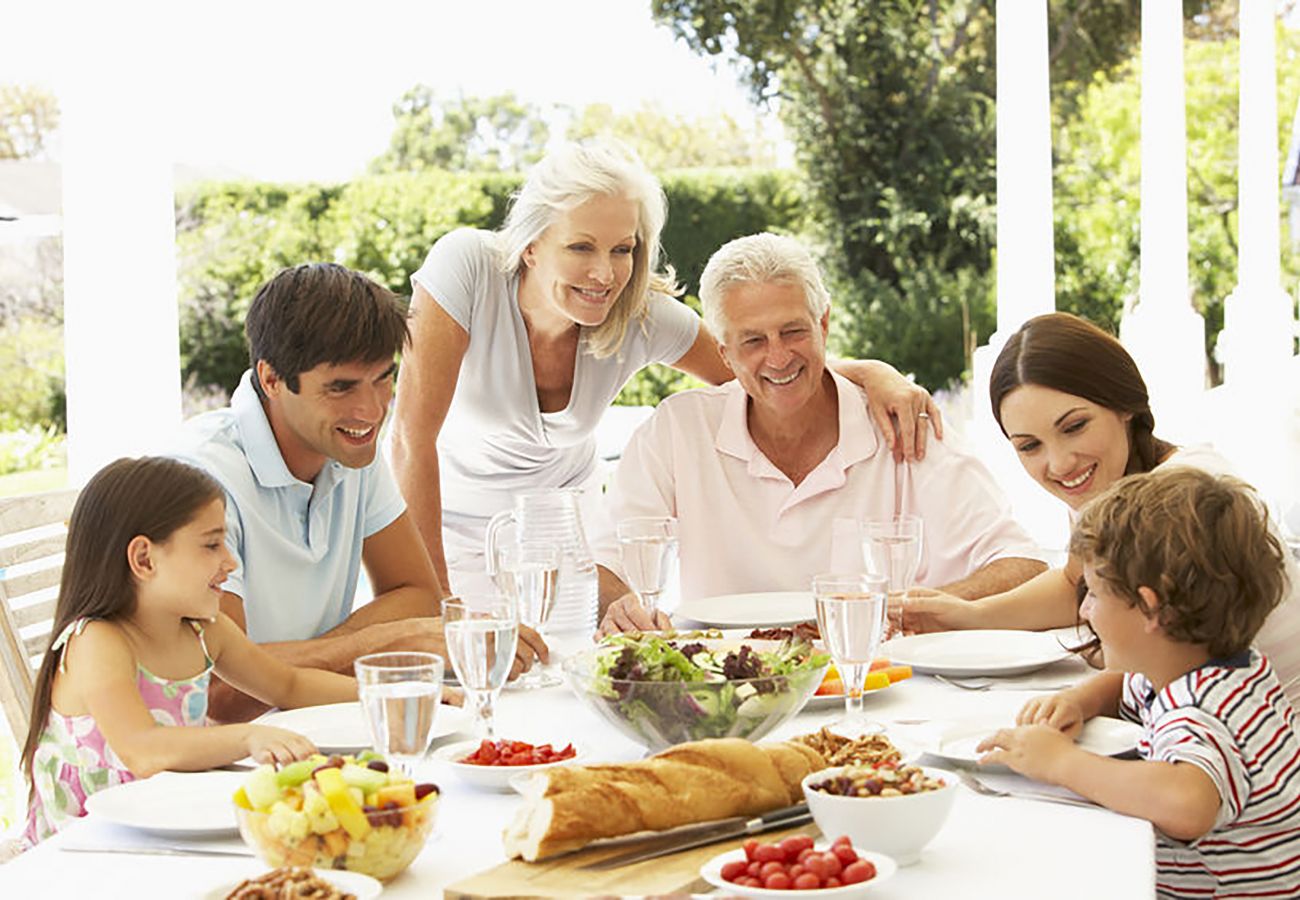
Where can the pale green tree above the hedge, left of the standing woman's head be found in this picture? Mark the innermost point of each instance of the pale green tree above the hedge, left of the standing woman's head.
(463, 135)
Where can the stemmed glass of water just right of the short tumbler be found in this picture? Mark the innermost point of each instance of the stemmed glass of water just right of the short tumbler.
(482, 635)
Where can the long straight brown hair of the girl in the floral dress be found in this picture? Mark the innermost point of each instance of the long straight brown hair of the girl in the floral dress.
(151, 496)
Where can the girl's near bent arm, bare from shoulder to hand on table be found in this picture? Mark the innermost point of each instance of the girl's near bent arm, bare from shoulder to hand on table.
(102, 672)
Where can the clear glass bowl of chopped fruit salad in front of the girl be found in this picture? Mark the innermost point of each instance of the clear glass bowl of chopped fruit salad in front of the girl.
(339, 812)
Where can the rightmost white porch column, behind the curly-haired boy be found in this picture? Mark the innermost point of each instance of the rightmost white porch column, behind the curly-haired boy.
(1256, 343)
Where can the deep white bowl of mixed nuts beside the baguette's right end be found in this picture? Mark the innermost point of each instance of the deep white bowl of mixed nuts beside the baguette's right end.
(889, 808)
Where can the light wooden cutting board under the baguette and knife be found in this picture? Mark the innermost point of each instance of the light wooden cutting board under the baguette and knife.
(561, 877)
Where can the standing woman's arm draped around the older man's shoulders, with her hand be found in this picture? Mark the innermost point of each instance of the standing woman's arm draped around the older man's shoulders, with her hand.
(891, 396)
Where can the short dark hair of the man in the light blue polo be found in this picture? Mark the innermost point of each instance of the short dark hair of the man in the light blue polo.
(322, 313)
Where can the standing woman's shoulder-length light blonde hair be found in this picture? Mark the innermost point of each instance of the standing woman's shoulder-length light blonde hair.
(566, 179)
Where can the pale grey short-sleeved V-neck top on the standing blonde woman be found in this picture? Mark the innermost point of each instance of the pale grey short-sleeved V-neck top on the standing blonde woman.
(496, 442)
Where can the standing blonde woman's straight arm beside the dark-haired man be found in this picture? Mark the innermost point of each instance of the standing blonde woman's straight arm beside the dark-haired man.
(427, 383)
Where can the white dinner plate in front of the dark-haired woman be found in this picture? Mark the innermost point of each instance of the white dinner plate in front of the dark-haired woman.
(989, 652)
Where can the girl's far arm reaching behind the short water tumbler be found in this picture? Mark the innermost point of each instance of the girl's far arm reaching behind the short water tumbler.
(259, 674)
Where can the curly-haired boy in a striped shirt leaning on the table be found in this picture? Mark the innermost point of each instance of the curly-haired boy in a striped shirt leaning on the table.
(1182, 570)
